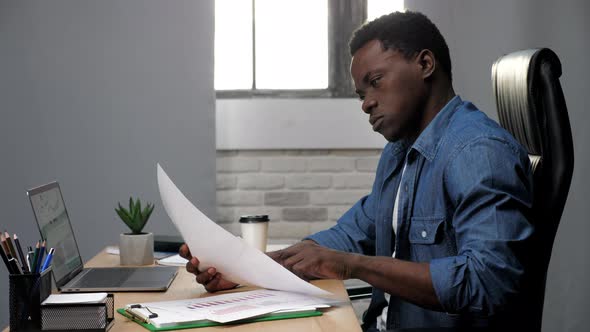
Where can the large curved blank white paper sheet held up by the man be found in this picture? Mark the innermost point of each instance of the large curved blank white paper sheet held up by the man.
(230, 255)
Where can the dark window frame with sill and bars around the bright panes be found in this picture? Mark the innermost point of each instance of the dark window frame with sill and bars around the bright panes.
(344, 16)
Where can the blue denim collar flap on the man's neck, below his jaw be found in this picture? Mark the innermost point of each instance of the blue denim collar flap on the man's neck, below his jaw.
(429, 140)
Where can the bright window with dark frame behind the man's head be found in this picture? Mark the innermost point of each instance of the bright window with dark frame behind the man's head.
(291, 48)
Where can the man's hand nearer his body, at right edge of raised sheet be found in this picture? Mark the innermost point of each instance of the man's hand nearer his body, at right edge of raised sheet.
(308, 260)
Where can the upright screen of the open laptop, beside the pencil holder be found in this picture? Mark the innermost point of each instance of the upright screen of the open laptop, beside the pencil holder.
(54, 224)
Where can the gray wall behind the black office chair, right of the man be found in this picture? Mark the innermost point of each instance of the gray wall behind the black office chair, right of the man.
(480, 31)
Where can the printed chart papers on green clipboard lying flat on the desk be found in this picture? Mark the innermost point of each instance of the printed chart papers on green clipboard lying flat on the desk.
(225, 308)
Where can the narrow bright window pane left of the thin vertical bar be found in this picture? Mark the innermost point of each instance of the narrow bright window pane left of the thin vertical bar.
(233, 44)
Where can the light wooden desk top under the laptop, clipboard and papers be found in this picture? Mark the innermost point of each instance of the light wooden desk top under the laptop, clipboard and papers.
(341, 318)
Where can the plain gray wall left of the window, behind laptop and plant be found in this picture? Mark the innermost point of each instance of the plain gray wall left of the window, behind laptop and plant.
(93, 94)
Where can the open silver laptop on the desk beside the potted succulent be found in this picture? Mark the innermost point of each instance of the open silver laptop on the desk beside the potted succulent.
(67, 265)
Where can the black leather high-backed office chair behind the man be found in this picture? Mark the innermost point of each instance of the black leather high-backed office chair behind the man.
(532, 107)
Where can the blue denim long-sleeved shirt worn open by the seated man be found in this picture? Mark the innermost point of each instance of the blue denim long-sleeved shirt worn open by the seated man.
(464, 207)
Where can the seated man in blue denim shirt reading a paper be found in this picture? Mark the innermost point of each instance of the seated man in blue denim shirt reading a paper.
(441, 236)
